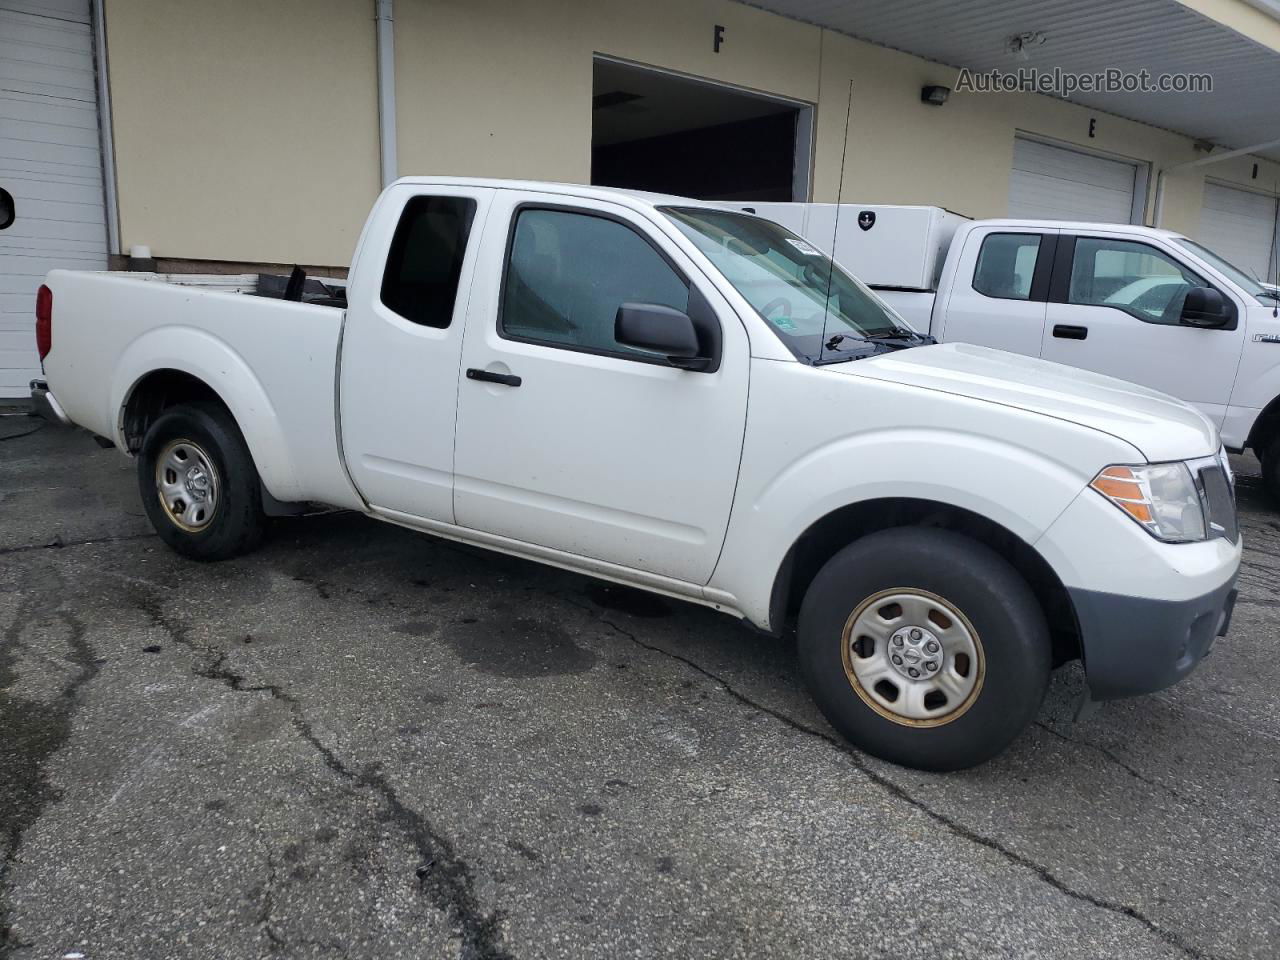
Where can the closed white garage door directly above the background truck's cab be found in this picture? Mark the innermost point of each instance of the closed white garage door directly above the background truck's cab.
(1057, 184)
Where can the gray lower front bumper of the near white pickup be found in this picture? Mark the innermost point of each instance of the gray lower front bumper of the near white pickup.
(1136, 646)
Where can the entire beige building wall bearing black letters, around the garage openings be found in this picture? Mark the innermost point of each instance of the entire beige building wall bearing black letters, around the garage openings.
(249, 131)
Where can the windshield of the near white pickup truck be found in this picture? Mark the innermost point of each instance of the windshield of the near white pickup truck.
(787, 281)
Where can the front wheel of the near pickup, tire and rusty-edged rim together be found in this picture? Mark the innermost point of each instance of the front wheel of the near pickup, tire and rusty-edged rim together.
(925, 648)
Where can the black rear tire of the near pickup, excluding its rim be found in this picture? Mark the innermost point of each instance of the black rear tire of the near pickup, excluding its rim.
(235, 525)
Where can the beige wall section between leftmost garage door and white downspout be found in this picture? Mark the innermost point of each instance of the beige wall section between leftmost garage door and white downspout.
(245, 130)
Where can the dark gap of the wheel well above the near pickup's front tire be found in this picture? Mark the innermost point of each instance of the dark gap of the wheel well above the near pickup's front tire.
(840, 528)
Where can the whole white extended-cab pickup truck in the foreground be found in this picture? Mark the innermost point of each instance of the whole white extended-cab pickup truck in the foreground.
(588, 378)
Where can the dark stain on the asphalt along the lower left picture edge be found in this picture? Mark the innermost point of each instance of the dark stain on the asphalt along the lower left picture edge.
(34, 732)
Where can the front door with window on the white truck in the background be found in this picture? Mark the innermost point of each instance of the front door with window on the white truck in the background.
(1117, 314)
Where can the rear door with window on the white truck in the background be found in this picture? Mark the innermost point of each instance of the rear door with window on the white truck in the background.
(995, 299)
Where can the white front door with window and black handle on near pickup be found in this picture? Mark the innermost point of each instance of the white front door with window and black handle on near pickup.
(596, 450)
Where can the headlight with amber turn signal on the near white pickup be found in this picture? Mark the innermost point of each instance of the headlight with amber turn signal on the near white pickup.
(1160, 497)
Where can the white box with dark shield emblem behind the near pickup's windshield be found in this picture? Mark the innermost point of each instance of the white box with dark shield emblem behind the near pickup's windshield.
(886, 246)
